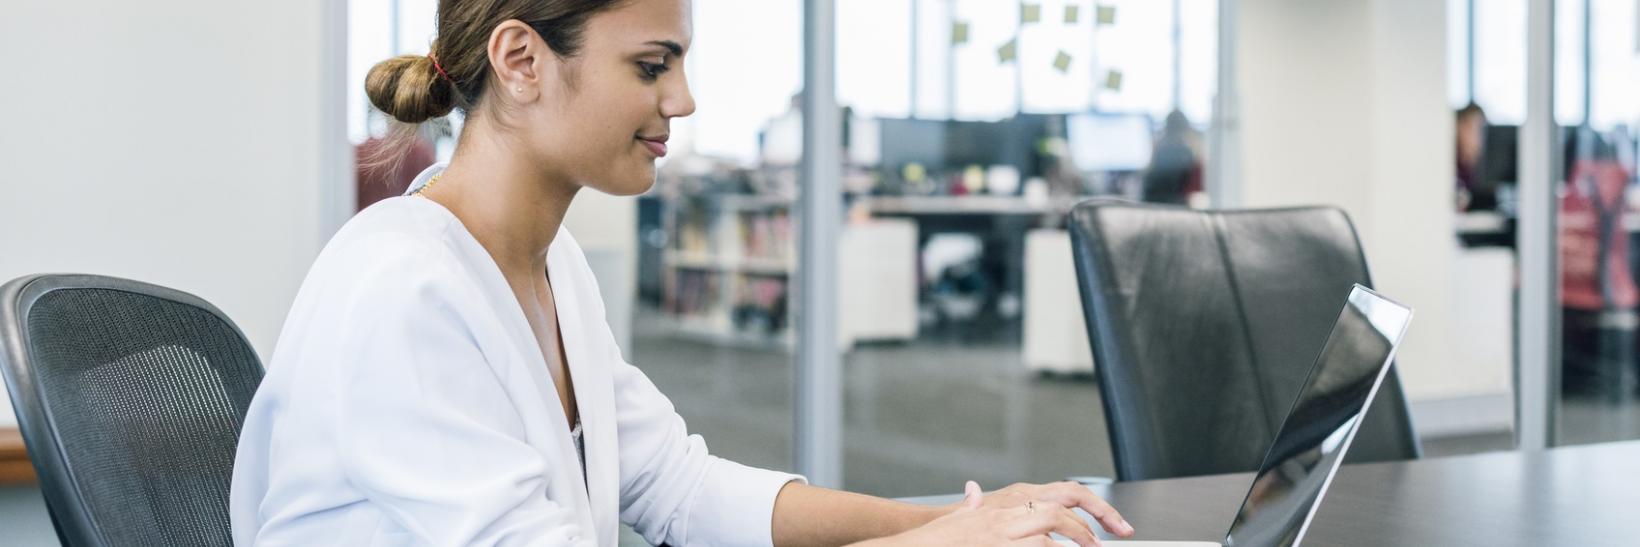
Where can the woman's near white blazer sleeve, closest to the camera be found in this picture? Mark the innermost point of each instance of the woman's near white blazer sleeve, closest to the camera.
(427, 432)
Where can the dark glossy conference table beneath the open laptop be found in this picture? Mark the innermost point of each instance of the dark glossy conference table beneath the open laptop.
(1585, 495)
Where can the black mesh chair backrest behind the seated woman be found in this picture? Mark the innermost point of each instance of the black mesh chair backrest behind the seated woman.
(130, 399)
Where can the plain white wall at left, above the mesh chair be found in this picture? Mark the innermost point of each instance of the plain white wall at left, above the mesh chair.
(181, 143)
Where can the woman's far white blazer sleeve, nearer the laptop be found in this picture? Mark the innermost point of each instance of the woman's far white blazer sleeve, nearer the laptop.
(672, 489)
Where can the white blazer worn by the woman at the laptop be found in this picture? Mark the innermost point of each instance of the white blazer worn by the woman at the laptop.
(408, 404)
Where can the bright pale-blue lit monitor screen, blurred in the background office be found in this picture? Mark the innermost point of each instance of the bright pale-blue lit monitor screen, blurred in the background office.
(1103, 143)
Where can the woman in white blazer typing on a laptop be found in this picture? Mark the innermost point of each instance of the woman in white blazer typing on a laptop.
(447, 376)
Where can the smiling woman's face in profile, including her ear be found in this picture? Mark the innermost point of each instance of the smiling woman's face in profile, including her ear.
(606, 119)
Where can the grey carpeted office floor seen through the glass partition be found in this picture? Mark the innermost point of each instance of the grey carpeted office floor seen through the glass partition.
(919, 418)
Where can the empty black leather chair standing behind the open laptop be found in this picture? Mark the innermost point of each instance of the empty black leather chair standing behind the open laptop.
(1205, 327)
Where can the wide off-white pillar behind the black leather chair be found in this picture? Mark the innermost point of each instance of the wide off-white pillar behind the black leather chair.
(1344, 102)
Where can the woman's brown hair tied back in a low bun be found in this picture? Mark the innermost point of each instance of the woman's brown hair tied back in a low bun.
(412, 91)
